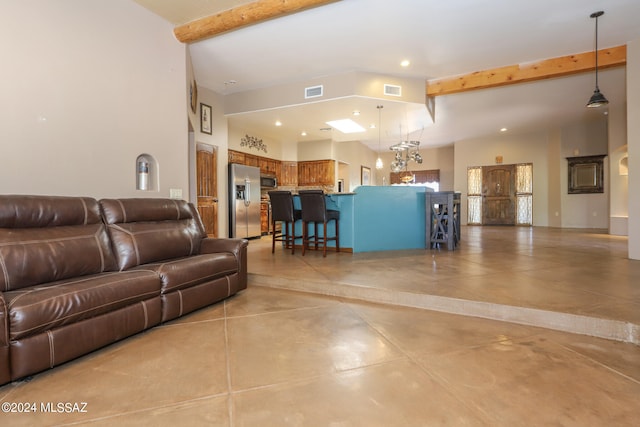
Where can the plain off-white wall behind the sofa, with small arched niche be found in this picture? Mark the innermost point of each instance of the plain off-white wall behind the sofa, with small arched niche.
(87, 86)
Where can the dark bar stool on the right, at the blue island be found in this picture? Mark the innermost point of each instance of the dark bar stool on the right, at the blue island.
(314, 210)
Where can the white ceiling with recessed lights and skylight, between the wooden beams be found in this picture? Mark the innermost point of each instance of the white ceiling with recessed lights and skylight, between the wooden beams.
(440, 38)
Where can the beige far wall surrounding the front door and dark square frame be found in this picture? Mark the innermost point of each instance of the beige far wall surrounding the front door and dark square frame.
(552, 205)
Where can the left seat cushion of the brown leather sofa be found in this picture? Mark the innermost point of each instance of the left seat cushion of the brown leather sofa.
(41, 308)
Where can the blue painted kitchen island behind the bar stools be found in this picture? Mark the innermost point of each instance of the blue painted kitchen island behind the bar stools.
(377, 218)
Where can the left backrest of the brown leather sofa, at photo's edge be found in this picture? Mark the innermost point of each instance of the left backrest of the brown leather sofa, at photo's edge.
(49, 238)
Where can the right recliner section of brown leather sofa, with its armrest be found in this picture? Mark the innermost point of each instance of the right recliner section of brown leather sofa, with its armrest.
(167, 237)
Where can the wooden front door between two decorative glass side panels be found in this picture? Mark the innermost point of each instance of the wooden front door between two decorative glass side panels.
(498, 195)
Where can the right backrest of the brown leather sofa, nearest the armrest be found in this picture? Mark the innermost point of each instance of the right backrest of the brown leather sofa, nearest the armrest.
(150, 230)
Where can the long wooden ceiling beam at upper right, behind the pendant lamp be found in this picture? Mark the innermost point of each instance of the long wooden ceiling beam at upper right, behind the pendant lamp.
(540, 70)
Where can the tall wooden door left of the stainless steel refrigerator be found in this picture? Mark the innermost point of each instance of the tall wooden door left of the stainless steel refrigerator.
(207, 187)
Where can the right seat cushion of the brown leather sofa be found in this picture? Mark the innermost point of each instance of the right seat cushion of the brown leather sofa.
(187, 272)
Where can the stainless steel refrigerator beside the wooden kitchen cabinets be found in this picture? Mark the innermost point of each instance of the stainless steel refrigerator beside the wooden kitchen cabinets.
(244, 201)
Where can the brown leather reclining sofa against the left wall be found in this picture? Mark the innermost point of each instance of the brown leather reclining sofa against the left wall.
(77, 274)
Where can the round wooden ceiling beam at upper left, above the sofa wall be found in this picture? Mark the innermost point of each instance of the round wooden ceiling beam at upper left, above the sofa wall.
(241, 16)
